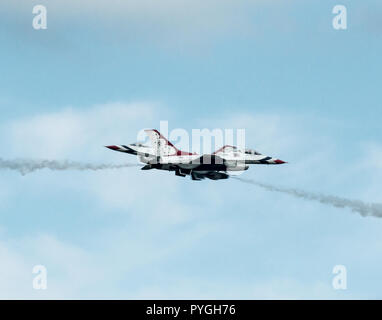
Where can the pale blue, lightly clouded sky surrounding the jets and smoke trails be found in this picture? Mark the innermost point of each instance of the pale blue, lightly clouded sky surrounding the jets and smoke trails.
(103, 70)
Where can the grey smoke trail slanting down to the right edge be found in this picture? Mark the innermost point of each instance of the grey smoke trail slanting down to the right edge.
(364, 209)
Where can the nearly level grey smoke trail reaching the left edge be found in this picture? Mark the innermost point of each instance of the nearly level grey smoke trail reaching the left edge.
(25, 166)
